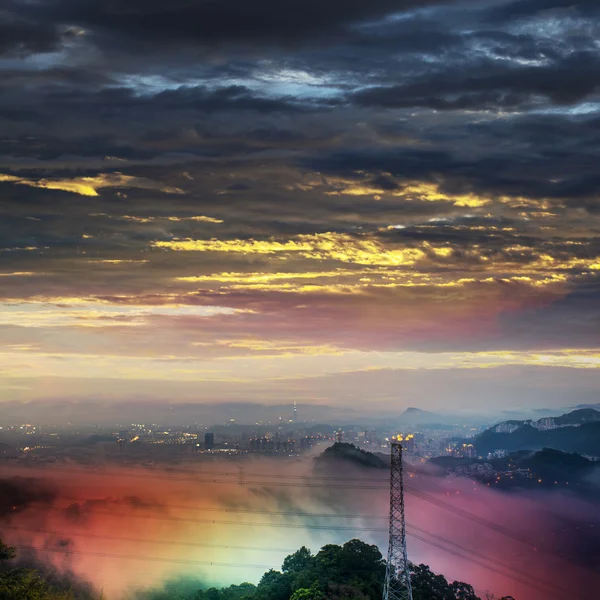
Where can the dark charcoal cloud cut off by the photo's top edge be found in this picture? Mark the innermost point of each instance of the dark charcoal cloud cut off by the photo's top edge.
(229, 21)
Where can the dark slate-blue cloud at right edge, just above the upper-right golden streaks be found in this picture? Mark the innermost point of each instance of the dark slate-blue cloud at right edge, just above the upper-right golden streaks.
(545, 172)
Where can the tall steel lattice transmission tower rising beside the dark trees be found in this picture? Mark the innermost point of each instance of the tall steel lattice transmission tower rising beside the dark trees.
(397, 577)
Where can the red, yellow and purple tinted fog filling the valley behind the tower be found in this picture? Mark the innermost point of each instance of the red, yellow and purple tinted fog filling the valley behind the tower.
(123, 531)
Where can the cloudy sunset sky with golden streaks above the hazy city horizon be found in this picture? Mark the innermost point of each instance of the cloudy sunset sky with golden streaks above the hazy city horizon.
(364, 204)
